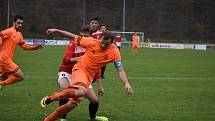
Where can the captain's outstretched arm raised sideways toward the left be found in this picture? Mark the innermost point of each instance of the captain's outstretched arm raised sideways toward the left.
(64, 33)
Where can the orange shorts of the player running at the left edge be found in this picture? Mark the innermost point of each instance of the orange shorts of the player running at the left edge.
(8, 67)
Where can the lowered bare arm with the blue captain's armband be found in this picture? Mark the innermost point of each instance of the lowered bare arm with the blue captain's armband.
(123, 77)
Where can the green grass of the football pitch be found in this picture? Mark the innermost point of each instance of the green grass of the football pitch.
(169, 85)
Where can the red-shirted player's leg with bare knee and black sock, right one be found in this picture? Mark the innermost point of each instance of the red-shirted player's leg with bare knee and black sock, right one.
(94, 102)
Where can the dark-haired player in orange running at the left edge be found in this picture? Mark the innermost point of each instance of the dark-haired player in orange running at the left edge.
(9, 39)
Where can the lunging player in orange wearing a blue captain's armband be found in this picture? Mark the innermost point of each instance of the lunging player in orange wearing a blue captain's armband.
(98, 53)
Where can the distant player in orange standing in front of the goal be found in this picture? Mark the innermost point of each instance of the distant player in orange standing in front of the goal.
(135, 43)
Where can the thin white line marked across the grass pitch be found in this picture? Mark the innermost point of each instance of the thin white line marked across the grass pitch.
(136, 78)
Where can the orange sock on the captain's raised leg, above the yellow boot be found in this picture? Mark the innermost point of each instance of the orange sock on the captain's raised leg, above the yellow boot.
(67, 93)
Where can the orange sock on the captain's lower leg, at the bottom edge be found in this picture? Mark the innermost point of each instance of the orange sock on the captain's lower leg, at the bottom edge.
(60, 111)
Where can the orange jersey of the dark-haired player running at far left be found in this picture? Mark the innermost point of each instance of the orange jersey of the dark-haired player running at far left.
(10, 39)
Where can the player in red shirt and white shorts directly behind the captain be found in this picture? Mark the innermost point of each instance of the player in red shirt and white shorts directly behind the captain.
(72, 54)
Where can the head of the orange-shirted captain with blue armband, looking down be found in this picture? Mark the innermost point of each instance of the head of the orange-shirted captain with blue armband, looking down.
(106, 39)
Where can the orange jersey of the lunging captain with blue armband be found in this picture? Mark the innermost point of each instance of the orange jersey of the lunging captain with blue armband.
(94, 57)
